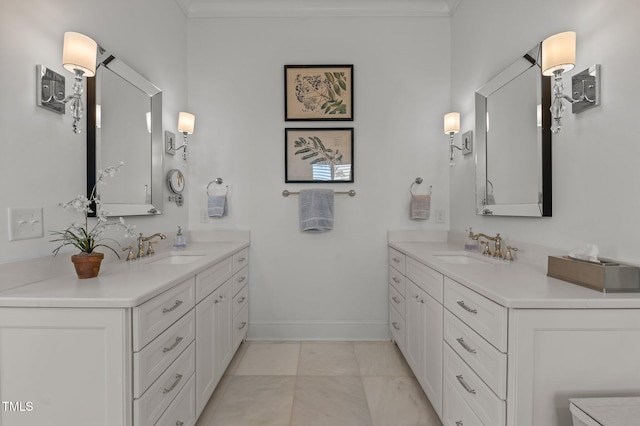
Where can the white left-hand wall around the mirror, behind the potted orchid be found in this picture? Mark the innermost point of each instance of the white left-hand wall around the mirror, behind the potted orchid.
(43, 162)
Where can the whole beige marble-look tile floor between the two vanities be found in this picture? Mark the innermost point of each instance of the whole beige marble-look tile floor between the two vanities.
(318, 383)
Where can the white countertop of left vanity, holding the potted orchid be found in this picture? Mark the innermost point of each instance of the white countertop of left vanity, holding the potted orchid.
(119, 284)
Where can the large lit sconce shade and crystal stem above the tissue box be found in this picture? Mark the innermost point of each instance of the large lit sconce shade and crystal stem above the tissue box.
(558, 57)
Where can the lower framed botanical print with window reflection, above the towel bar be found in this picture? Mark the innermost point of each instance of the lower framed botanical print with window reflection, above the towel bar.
(319, 155)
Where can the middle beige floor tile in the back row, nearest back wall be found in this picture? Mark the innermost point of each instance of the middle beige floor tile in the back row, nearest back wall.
(327, 359)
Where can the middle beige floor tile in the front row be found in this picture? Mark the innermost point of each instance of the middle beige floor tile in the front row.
(329, 401)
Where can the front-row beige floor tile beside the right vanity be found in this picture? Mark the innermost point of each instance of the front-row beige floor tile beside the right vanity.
(398, 401)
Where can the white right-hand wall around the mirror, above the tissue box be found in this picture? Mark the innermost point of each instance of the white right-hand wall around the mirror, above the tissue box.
(595, 157)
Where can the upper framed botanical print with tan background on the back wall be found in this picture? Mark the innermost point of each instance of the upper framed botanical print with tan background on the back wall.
(319, 92)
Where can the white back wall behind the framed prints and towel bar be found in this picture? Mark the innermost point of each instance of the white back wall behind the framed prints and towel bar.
(332, 285)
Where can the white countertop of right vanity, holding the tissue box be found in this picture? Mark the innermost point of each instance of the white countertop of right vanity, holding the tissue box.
(515, 284)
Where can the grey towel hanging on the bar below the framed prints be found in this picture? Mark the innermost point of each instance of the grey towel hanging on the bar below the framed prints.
(316, 210)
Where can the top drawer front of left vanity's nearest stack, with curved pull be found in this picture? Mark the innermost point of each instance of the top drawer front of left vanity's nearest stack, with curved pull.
(156, 315)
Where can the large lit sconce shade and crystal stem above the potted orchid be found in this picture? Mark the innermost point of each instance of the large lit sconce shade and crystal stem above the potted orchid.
(78, 56)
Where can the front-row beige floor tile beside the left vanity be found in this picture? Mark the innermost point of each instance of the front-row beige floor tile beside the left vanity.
(255, 401)
